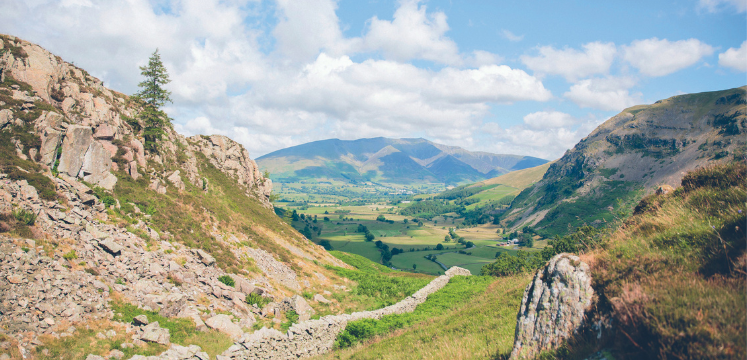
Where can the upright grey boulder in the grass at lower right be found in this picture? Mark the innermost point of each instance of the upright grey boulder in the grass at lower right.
(553, 306)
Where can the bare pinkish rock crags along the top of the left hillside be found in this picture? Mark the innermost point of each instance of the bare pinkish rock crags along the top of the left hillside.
(84, 125)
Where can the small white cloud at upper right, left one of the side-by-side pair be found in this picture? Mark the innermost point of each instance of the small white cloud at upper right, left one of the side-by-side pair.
(572, 64)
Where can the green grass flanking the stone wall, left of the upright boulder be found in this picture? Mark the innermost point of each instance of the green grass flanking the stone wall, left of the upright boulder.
(470, 318)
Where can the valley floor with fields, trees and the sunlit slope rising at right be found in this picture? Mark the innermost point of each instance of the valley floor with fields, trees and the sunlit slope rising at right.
(408, 222)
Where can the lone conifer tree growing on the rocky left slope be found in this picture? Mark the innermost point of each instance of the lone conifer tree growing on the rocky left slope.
(153, 96)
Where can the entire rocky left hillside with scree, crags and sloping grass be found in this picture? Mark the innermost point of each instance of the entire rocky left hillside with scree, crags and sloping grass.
(97, 223)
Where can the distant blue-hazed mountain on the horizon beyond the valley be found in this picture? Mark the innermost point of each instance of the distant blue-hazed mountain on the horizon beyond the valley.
(398, 161)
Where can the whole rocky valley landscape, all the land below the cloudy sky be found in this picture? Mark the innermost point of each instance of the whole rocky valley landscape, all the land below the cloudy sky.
(122, 238)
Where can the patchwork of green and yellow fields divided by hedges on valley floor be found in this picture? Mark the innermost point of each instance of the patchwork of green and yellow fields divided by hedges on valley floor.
(405, 233)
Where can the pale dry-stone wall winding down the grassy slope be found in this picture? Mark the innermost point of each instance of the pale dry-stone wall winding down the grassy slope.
(315, 337)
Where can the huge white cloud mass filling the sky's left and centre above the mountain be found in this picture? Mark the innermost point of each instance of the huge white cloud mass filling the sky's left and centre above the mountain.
(224, 81)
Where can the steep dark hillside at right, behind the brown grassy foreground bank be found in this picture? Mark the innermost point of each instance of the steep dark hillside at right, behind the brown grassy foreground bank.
(630, 155)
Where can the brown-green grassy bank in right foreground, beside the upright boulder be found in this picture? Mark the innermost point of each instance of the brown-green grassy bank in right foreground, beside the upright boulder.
(673, 278)
